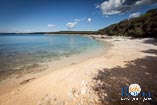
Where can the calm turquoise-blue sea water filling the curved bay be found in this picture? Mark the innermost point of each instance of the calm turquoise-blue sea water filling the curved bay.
(21, 50)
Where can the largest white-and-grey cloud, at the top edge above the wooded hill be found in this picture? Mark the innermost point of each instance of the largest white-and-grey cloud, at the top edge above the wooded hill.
(111, 7)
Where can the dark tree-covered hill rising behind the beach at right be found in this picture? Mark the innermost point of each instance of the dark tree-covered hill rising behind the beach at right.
(143, 26)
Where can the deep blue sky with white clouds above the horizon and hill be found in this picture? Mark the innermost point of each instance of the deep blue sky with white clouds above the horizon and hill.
(62, 15)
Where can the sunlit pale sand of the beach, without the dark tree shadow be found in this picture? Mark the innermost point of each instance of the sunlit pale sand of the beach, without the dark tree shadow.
(72, 84)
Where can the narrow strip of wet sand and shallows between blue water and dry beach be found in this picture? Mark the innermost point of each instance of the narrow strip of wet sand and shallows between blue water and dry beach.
(17, 79)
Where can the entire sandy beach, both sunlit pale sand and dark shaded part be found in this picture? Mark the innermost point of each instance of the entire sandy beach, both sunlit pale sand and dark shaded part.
(81, 83)
